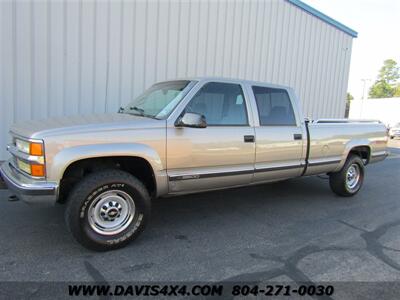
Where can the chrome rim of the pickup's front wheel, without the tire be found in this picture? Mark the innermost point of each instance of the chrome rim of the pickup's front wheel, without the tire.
(111, 212)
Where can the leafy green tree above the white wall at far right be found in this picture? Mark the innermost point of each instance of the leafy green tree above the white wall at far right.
(386, 84)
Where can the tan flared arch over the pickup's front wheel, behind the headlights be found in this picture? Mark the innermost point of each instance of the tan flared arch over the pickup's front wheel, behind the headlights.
(67, 156)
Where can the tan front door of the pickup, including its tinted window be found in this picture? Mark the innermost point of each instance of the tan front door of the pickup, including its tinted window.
(220, 155)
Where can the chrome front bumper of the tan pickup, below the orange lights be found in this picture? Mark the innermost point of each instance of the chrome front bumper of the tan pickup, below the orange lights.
(28, 189)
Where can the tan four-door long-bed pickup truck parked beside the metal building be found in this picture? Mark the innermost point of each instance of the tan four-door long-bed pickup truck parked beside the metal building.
(179, 137)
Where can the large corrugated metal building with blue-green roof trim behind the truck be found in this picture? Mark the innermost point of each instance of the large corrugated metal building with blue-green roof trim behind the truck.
(79, 57)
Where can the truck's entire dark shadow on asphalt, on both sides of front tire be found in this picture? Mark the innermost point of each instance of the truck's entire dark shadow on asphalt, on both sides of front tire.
(177, 217)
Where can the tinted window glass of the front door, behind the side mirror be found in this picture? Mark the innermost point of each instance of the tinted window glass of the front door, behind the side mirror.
(220, 103)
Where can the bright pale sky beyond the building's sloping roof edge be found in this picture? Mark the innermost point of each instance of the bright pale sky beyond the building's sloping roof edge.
(378, 25)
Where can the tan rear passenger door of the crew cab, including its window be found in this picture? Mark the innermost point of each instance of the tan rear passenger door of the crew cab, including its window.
(279, 135)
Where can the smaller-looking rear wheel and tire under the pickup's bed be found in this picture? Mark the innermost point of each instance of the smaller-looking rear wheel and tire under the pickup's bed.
(348, 181)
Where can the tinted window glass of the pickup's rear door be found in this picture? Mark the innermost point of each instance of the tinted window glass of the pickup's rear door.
(274, 106)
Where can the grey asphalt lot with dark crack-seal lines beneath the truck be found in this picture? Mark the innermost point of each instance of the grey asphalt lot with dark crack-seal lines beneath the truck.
(296, 229)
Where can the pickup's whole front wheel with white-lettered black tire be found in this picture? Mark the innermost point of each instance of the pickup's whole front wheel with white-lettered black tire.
(107, 210)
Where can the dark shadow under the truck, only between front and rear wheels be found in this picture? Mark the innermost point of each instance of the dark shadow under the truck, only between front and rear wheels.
(294, 192)
